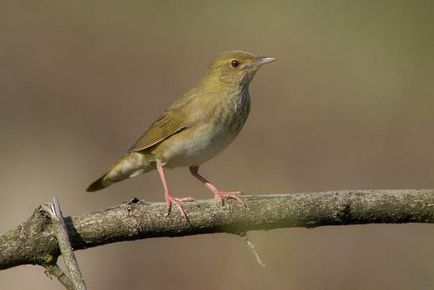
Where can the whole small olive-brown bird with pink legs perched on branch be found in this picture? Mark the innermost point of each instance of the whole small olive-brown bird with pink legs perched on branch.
(196, 127)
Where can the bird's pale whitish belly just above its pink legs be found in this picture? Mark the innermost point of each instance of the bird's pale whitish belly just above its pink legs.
(194, 147)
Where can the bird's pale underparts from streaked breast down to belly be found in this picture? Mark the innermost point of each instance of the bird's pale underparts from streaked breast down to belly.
(198, 144)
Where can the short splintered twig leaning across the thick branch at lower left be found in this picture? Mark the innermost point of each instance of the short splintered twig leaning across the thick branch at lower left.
(65, 246)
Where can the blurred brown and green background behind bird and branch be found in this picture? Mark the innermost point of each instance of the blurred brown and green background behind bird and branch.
(348, 105)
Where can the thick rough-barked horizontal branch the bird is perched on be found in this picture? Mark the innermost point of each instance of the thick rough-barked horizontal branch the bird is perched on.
(34, 241)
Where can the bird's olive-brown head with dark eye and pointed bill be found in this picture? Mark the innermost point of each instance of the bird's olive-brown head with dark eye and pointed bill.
(235, 68)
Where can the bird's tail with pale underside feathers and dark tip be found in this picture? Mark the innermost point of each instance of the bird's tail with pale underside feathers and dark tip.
(131, 165)
